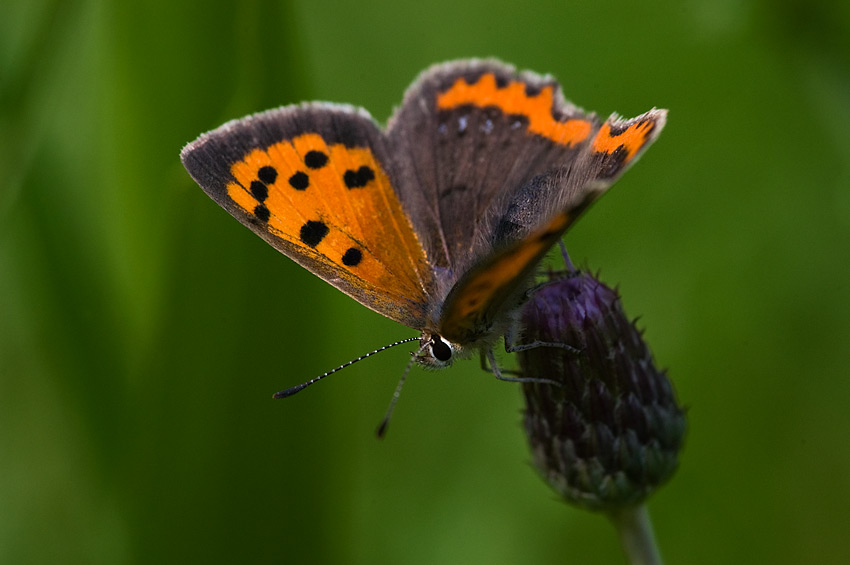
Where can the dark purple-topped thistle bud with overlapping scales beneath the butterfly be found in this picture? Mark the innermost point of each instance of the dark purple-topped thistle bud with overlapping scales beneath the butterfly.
(609, 434)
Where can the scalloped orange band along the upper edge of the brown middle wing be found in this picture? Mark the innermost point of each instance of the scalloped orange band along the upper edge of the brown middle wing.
(513, 99)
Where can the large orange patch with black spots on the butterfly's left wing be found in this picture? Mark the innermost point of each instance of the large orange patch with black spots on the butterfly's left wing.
(337, 203)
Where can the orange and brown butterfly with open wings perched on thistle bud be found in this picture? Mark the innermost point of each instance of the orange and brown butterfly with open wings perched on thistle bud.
(439, 220)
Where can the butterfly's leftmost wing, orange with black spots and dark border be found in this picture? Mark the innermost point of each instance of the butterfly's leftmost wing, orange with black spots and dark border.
(313, 181)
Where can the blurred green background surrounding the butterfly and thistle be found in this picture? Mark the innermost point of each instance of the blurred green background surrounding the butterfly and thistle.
(143, 330)
